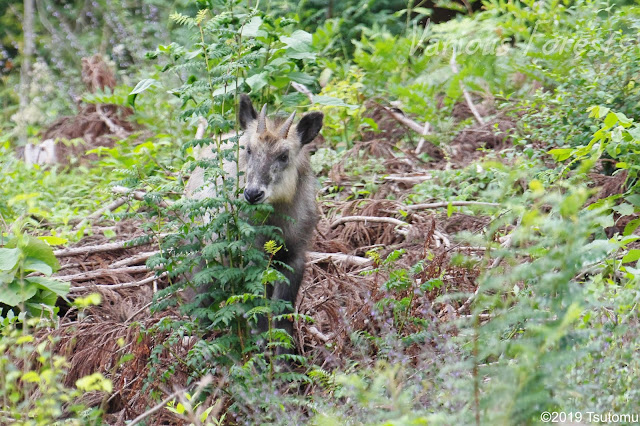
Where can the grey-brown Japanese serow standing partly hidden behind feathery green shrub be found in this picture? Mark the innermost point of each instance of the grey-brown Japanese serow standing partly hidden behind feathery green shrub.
(276, 169)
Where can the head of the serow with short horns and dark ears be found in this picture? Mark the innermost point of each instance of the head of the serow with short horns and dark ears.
(273, 152)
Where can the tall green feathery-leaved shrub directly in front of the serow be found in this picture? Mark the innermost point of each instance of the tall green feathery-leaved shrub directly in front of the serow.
(237, 50)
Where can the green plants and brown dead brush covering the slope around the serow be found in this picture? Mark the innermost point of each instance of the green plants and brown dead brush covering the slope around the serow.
(475, 260)
